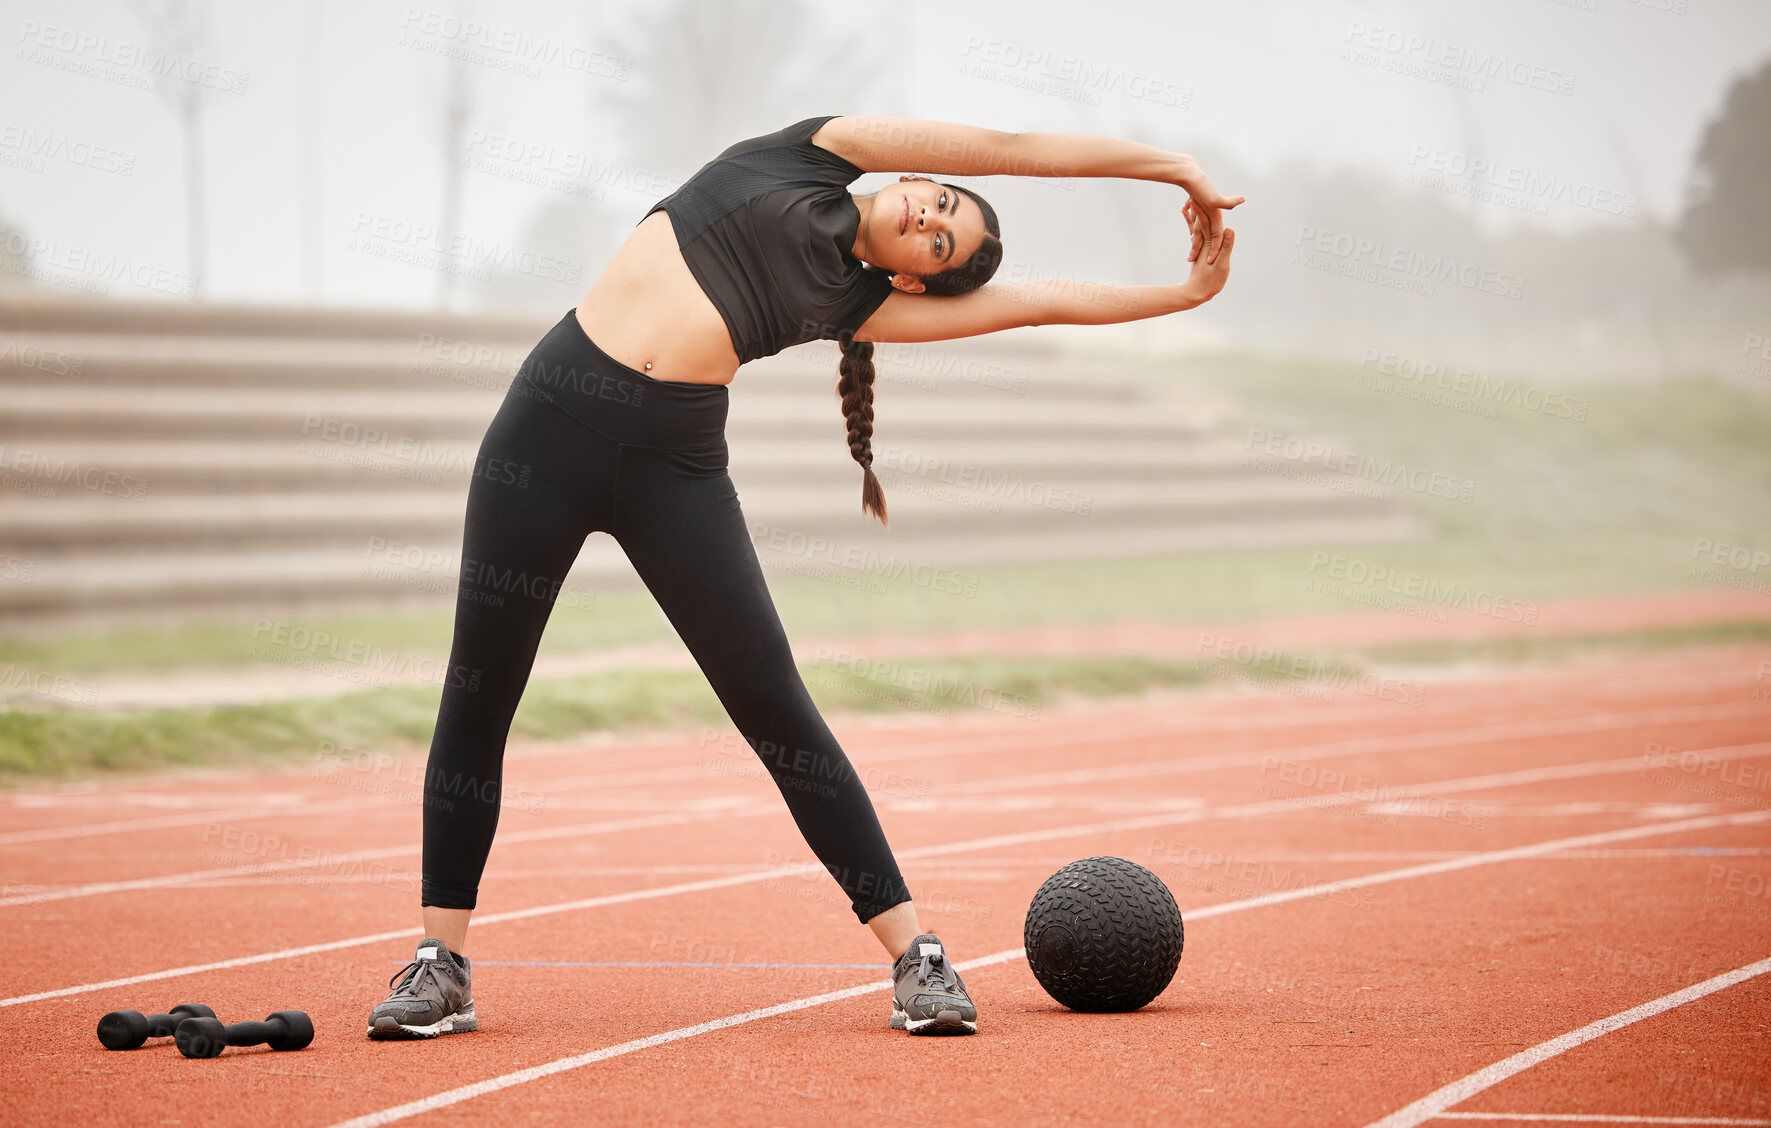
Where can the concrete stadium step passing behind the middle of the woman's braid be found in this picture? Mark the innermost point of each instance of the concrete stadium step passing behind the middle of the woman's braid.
(350, 415)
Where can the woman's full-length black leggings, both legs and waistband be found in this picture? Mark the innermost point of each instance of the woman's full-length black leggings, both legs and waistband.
(584, 444)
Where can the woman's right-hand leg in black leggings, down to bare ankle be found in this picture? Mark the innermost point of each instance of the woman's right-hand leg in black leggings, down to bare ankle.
(677, 516)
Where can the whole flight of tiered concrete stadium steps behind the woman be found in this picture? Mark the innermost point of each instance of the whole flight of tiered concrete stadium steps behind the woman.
(173, 460)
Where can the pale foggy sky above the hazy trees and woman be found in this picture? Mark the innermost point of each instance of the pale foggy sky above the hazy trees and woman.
(1611, 95)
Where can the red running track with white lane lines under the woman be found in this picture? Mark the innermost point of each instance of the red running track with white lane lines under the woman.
(1522, 899)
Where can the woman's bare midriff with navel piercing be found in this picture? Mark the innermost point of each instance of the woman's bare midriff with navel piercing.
(649, 309)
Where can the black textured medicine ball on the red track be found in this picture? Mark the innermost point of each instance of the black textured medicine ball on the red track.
(1104, 936)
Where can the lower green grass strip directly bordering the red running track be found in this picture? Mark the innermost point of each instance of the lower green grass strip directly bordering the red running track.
(70, 745)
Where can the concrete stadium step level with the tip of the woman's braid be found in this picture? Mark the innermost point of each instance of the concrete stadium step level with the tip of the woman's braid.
(36, 525)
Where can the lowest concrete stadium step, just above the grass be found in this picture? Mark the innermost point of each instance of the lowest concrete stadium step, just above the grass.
(267, 583)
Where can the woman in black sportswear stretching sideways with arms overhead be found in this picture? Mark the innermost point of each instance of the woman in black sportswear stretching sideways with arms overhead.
(619, 422)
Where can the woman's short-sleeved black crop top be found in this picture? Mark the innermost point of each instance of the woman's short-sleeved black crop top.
(769, 229)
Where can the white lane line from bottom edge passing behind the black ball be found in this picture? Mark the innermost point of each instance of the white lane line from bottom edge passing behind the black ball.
(454, 1097)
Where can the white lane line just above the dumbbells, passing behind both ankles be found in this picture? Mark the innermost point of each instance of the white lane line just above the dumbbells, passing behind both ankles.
(1278, 807)
